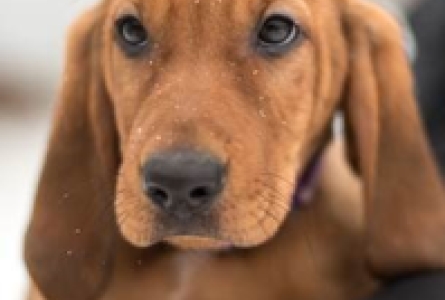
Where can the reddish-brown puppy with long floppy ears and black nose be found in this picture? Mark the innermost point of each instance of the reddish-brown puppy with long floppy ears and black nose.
(188, 124)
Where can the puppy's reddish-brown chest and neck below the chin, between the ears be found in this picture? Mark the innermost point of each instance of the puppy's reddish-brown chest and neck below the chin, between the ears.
(311, 258)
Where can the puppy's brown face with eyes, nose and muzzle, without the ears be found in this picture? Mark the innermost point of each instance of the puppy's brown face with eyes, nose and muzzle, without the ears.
(218, 105)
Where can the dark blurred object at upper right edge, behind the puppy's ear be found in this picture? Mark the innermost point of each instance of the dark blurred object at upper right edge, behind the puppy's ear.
(428, 22)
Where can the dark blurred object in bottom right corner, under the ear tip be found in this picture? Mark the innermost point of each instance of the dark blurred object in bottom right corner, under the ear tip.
(417, 287)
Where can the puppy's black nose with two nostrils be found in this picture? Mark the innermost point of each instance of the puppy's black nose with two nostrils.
(183, 182)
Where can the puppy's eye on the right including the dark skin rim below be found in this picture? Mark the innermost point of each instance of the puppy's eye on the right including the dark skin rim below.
(278, 32)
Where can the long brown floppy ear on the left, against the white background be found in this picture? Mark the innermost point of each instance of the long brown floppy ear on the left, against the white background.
(69, 242)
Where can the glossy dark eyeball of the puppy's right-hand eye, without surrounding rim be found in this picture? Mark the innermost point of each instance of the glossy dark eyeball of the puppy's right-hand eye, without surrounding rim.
(277, 30)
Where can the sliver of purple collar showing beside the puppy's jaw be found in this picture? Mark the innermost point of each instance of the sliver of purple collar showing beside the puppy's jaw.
(305, 189)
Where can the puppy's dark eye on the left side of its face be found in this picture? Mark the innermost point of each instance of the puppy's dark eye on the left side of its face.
(131, 35)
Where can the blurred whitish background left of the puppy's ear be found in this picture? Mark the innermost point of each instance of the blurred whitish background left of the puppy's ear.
(32, 39)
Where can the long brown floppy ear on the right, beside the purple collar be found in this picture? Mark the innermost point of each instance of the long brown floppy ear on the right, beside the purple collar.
(405, 203)
